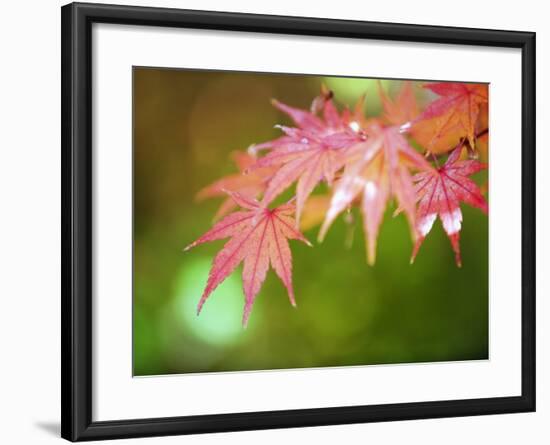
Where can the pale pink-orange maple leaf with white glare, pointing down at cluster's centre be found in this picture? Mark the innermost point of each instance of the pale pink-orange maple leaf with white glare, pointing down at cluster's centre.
(380, 171)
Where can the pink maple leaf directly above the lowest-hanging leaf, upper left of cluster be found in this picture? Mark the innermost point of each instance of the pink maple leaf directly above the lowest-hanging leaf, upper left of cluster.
(310, 153)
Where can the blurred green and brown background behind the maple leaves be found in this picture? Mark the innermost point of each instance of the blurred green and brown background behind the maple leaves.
(186, 124)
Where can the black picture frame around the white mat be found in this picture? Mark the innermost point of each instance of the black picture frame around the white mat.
(76, 129)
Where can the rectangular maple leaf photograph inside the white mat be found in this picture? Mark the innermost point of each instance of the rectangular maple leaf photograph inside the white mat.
(289, 221)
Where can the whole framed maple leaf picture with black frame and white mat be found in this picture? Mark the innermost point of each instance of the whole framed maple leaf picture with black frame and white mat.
(275, 222)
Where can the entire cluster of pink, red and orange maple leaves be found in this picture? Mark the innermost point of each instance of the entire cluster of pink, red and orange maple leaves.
(365, 162)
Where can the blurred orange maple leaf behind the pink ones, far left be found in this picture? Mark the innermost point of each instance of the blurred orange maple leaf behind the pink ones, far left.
(252, 184)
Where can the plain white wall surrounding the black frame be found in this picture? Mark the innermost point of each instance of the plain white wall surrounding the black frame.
(30, 207)
